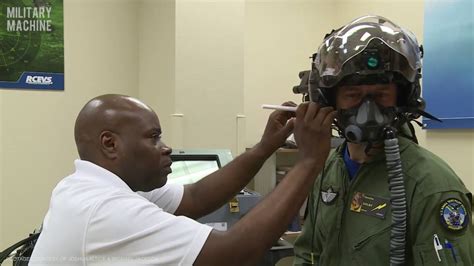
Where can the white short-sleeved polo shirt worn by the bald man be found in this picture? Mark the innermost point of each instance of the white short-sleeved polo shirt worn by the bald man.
(94, 218)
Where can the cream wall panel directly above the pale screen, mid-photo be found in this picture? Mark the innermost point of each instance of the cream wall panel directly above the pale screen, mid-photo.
(209, 71)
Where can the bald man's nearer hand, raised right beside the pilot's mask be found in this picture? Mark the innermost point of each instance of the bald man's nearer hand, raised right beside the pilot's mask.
(312, 131)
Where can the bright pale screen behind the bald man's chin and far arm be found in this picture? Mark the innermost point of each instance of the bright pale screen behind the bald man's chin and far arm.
(191, 165)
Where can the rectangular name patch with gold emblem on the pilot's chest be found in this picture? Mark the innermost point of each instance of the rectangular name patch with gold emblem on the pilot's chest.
(369, 205)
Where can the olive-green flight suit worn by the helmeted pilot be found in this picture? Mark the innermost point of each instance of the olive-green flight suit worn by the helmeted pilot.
(342, 236)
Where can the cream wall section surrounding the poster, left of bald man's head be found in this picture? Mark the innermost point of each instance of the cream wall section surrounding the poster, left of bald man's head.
(36, 136)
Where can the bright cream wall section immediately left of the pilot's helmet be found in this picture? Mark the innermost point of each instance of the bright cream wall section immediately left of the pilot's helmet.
(280, 36)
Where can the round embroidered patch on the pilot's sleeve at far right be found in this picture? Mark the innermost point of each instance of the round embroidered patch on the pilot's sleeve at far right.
(453, 215)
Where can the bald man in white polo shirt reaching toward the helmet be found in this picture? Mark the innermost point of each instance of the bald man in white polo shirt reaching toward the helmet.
(116, 208)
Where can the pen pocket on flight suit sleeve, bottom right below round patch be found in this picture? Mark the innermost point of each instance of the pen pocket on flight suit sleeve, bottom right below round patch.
(425, 254)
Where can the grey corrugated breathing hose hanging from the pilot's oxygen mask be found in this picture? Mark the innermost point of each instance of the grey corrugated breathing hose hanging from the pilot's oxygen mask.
(397, 198)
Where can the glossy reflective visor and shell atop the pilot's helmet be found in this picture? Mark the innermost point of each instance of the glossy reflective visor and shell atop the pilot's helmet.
(347, 51)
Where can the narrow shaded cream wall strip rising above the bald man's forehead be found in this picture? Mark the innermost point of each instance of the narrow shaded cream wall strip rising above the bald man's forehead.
(156, 54)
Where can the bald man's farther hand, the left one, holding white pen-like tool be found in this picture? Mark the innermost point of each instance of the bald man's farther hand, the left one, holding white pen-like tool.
(279, 127)
